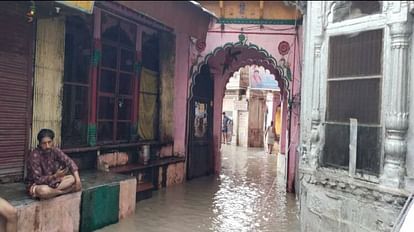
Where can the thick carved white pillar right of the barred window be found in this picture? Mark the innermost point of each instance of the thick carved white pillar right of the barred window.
(396, 118)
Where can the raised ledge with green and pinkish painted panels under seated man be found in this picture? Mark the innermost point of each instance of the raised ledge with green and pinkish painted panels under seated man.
(104, 199)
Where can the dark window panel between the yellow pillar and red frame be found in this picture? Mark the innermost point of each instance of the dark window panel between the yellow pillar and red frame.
(78, 47)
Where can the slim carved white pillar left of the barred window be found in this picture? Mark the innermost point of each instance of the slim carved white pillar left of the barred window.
(312, 158)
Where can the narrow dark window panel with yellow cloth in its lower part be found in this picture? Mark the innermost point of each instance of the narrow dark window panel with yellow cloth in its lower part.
(149, 91)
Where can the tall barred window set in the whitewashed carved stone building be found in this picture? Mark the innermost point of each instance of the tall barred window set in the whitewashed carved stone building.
(354, 91)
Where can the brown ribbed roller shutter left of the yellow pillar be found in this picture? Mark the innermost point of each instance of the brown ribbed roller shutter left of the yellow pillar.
(15, 89)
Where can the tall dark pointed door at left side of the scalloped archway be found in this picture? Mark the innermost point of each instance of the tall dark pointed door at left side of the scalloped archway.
(200, 155)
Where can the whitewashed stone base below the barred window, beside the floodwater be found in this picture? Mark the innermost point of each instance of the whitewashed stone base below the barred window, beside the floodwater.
(331, 201)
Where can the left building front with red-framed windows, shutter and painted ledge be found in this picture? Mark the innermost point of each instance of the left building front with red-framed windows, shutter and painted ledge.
(110, 78)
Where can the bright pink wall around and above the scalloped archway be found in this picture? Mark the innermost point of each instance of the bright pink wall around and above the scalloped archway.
(269, 40)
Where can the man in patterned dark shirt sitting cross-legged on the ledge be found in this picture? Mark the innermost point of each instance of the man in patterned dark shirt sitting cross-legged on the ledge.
(48, 167)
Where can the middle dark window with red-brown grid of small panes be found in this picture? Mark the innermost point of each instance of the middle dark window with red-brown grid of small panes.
(115, 81)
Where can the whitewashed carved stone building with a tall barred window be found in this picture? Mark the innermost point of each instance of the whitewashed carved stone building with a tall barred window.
(356, 164)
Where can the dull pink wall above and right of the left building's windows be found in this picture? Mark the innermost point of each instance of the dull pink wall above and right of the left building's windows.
(186, 20)
